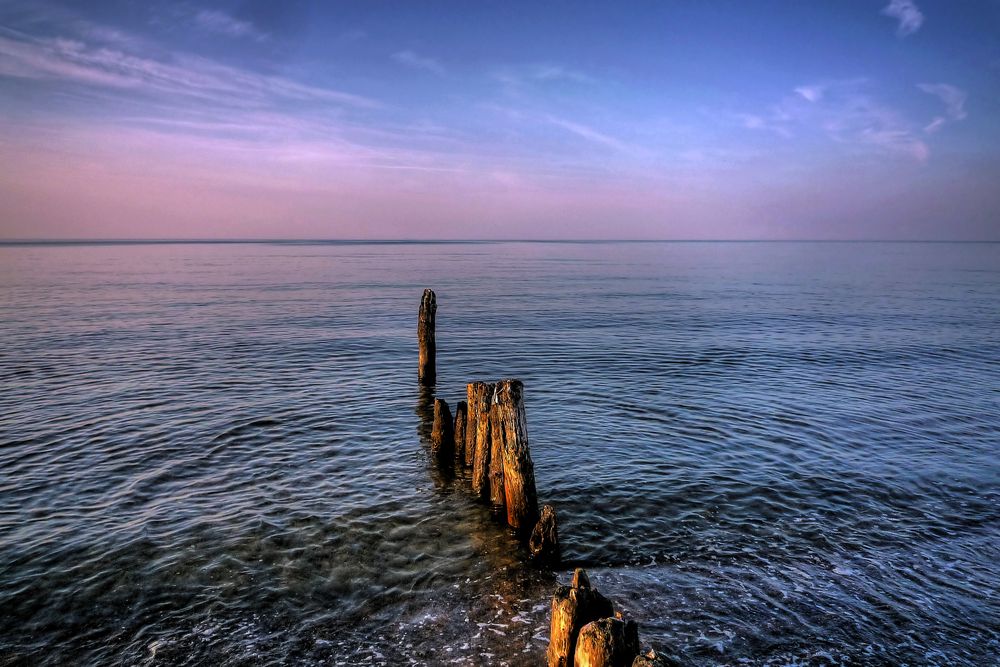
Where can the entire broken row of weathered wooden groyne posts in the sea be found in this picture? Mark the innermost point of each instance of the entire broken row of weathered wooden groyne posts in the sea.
(488, 437)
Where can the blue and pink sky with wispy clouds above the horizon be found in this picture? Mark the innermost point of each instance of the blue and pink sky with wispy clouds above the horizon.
(741, 119)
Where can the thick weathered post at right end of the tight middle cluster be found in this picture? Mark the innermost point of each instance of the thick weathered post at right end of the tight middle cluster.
(518, 470)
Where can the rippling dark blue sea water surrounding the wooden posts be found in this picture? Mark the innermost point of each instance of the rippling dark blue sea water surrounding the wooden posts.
(770, 454)
